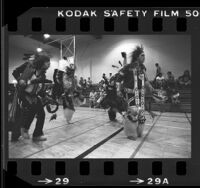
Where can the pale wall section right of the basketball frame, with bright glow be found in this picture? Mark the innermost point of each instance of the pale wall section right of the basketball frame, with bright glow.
(171, 52)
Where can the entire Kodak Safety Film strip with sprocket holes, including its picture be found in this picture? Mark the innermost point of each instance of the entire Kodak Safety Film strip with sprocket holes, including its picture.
(88, 146)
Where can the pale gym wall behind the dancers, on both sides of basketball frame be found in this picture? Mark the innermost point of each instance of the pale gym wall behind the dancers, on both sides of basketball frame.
(171, 52)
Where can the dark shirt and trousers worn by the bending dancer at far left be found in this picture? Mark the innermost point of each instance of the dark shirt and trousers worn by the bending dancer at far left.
(31, 103)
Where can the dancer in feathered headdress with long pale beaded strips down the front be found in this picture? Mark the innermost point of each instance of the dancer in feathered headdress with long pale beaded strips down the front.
(133, 79)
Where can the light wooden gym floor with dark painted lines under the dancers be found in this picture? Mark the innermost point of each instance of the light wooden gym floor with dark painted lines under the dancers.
(92, 135)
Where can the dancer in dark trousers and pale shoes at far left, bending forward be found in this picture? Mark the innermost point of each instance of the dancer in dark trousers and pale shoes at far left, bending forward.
(30, 76)
